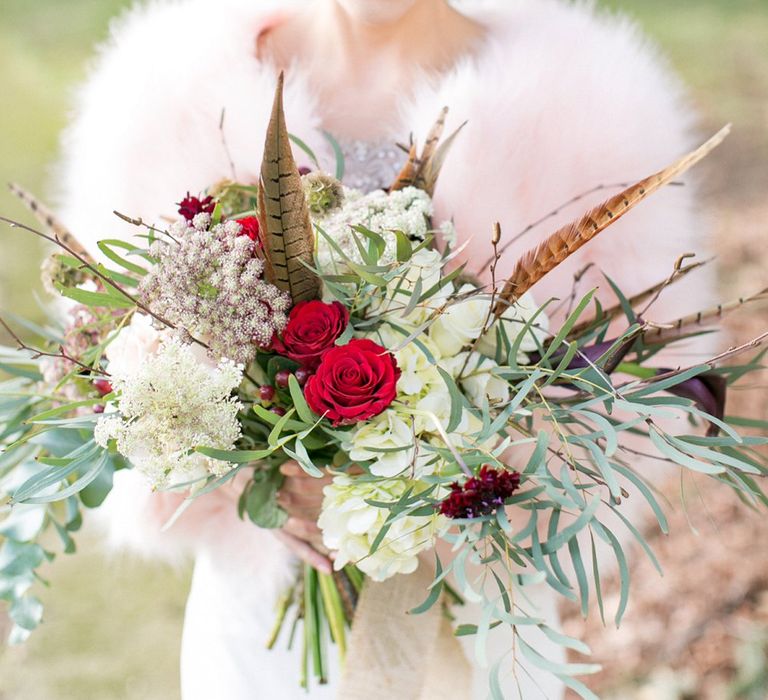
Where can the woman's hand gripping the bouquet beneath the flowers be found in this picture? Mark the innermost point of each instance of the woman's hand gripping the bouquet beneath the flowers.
(301, 496)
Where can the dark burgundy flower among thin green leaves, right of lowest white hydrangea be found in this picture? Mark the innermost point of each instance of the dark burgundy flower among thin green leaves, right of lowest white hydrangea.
(480, 495)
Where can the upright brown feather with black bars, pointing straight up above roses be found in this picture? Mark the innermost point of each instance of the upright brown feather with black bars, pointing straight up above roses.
(289, 239)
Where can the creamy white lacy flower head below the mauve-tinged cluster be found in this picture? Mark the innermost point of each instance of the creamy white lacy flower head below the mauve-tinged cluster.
(169, 405)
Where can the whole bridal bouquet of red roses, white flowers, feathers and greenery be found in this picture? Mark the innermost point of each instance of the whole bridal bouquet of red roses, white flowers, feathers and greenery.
(298, 319)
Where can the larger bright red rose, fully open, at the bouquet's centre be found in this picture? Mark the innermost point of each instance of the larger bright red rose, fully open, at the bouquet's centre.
(353, 383)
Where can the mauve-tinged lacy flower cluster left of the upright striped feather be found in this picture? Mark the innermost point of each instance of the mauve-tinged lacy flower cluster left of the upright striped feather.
(210, 284)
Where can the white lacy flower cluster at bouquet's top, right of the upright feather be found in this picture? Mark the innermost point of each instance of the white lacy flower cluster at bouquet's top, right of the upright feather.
(407, 210)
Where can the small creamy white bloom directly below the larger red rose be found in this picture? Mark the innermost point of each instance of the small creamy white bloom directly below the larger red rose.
(386, 439)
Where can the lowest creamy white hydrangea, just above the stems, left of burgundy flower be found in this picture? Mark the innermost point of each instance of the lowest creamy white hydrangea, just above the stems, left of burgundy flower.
(350, 526)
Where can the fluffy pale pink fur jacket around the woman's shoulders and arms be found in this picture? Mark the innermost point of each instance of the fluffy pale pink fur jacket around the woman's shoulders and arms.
(560, 99)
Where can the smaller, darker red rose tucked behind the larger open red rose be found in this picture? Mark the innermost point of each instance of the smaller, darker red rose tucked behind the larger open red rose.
(313, 327)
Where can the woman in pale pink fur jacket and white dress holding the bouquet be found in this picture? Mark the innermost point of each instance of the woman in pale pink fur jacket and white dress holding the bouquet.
(557, 98)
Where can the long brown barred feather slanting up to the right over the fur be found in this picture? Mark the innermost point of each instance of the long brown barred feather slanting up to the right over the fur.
(540, 261)
